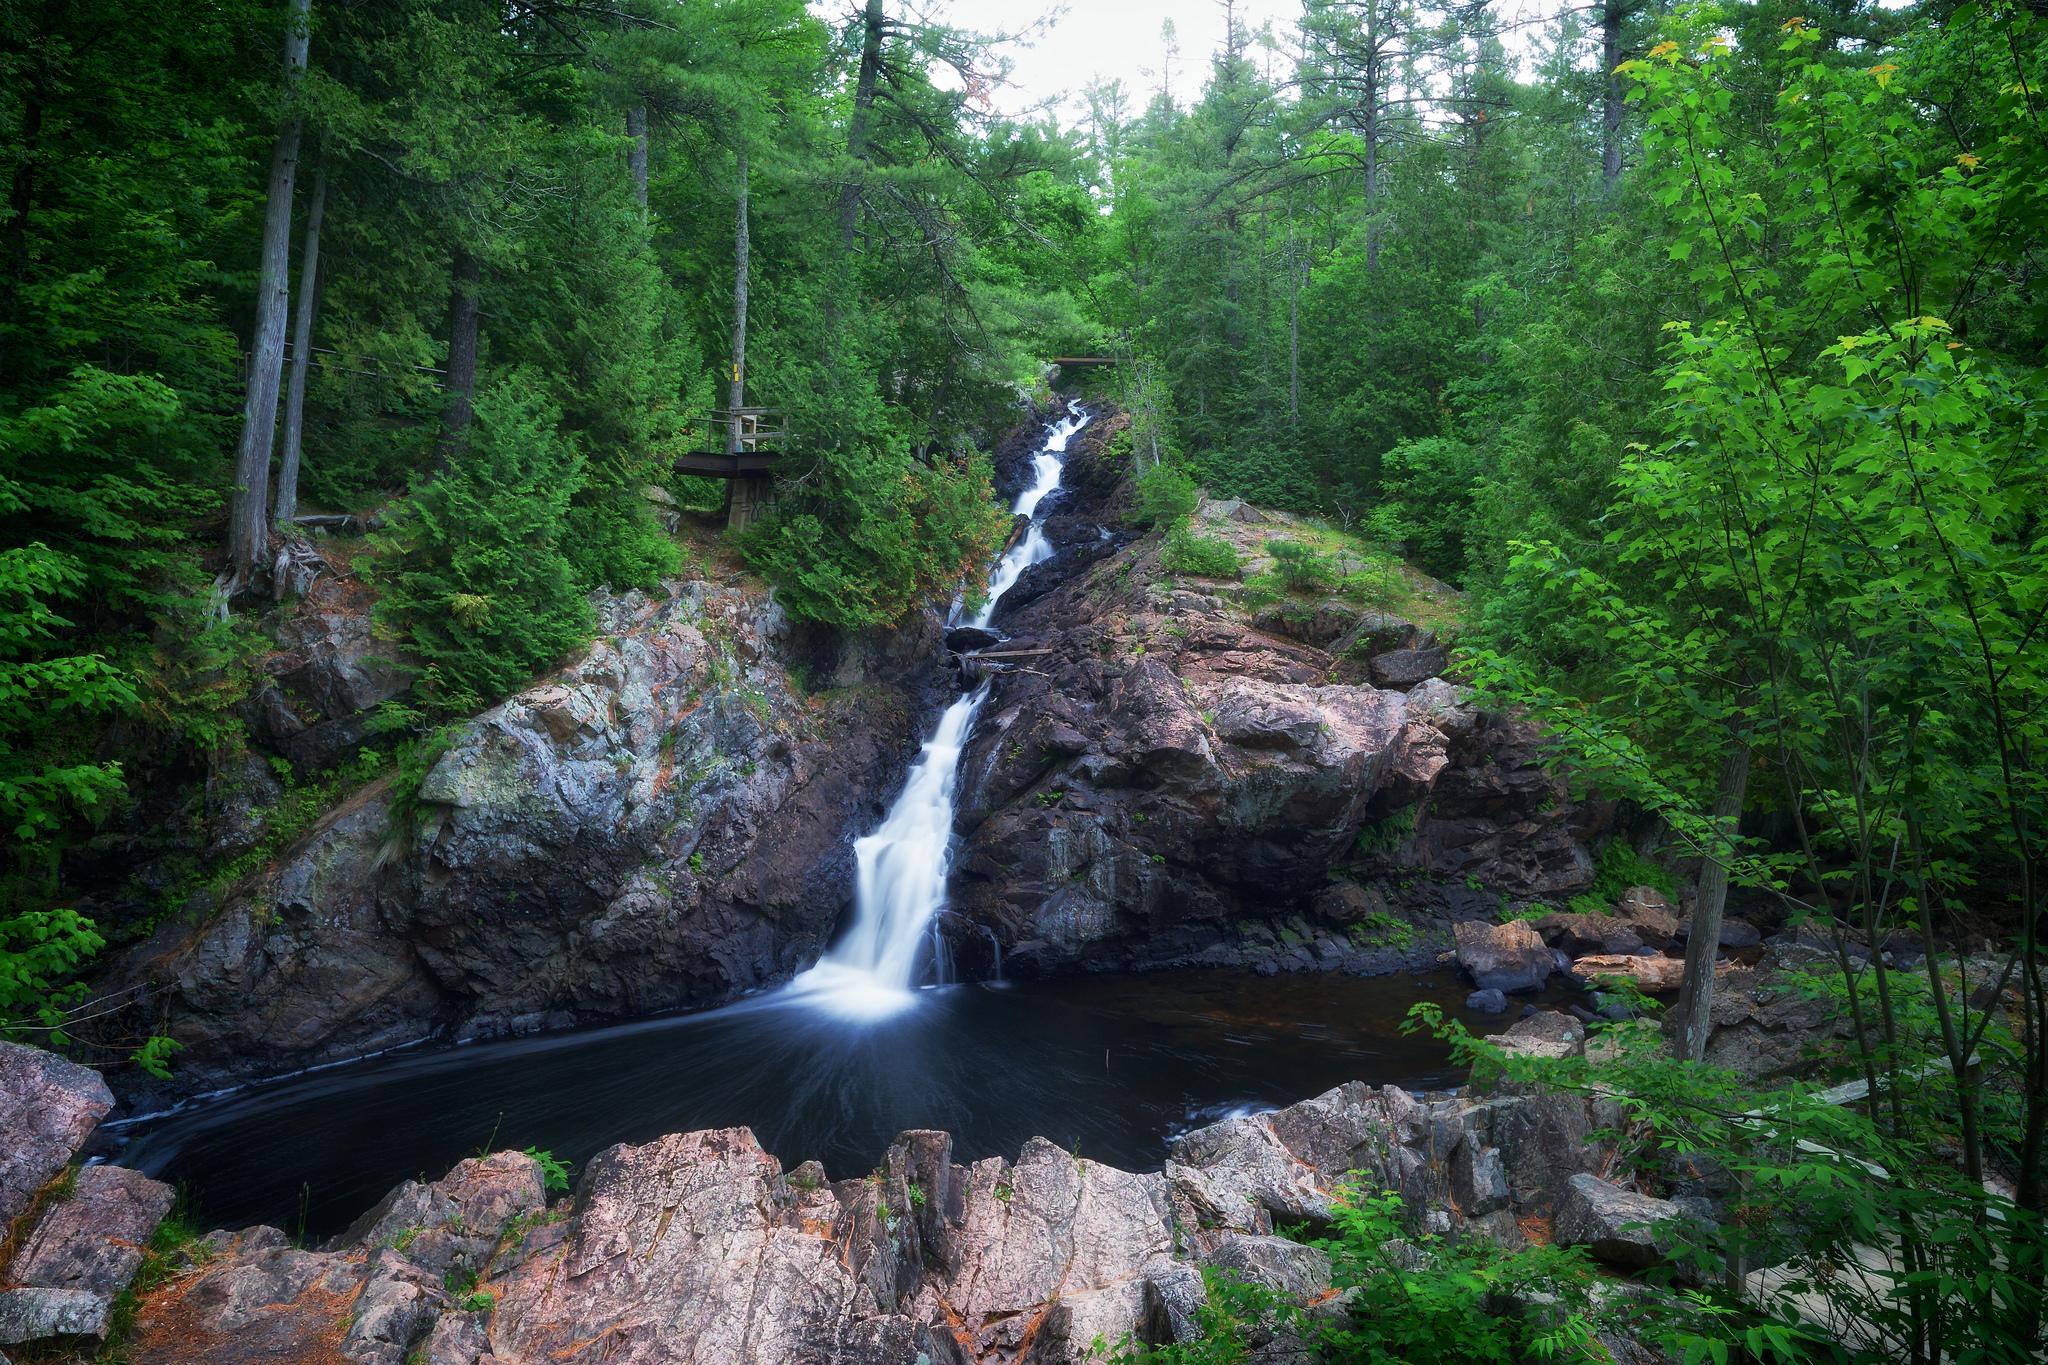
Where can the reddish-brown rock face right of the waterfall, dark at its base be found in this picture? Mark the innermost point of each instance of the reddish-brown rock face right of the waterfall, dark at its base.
(1166, 775)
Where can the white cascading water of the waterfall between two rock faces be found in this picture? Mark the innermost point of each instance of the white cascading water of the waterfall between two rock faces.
(902, 879)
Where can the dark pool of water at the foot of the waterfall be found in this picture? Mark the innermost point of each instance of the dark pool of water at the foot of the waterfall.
(1111, 1067)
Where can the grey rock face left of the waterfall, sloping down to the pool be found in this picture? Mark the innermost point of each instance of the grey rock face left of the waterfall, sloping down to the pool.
(665, 824)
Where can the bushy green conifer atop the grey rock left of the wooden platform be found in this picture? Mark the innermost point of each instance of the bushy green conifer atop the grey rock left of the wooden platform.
(472, 572)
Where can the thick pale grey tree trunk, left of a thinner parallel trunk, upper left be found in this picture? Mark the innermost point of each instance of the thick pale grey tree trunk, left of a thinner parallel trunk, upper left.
(249, 533)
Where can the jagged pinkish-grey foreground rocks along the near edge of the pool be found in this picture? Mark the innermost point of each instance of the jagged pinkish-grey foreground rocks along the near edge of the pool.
(703, 1249)
